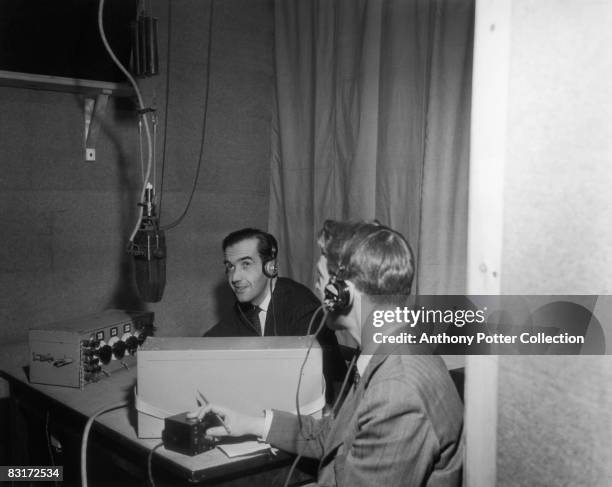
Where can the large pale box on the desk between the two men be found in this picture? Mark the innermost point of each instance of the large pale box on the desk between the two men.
(247, 375)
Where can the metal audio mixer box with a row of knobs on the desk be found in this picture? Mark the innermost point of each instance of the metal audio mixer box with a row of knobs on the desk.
(86, 349)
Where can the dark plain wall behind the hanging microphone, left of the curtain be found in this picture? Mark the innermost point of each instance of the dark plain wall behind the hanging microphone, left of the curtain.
(66, 222)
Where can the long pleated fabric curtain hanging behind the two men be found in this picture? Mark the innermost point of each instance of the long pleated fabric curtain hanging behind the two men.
(372, 121)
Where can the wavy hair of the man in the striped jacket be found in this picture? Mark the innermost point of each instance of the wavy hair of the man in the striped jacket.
(377, 259)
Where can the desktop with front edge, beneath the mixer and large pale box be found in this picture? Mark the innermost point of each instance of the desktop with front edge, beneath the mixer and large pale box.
(117, 428)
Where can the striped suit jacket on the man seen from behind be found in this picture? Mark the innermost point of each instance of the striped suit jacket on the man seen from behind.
(401, 425)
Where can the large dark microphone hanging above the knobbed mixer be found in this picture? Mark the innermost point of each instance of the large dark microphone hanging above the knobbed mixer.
(149, 251)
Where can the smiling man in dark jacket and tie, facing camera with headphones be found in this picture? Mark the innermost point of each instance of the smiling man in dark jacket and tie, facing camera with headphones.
(266, 305)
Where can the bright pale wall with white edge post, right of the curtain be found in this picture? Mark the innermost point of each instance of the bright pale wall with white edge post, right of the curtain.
(542, 140)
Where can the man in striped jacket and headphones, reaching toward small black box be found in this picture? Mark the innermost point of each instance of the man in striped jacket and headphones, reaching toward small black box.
(401, 420)
